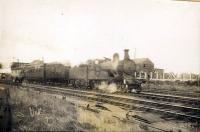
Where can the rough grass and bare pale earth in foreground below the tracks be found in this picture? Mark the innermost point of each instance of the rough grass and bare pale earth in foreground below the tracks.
(40, 111)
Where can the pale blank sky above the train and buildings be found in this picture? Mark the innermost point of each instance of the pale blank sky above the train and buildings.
(167, 32)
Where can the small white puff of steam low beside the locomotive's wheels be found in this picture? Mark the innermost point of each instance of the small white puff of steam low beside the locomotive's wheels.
(111, 88)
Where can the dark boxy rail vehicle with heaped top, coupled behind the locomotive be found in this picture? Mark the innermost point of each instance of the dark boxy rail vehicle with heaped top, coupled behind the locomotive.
(41, 72)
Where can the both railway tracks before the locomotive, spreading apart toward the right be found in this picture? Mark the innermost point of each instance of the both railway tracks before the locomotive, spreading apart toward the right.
(170, 106)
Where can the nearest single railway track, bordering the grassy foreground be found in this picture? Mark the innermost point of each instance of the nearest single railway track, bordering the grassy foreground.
(190, 114)
